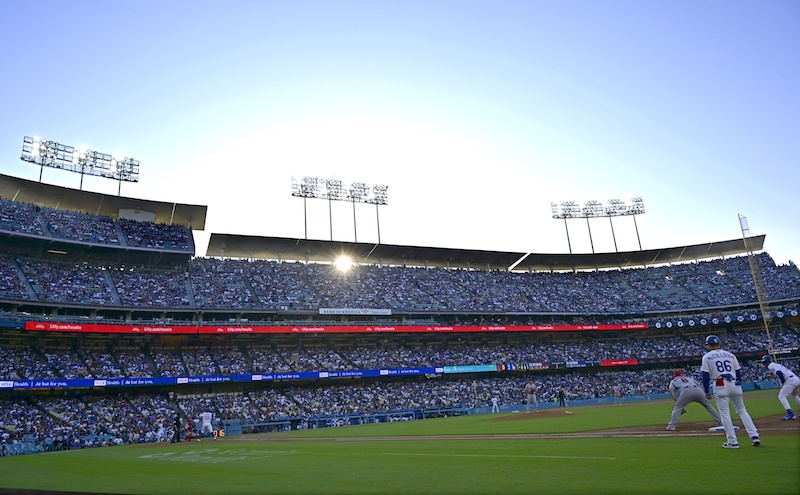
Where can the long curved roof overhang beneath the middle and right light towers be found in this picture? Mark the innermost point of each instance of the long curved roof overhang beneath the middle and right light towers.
(318, 251)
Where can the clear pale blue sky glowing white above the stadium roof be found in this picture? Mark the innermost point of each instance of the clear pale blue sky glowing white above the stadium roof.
(476, 115)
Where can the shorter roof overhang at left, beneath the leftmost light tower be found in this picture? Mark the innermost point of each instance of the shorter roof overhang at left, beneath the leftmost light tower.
(63, 198)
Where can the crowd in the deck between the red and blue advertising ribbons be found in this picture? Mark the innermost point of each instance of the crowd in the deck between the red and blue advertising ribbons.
(207, 358)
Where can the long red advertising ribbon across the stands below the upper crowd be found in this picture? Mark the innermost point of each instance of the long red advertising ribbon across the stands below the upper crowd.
(230, 329)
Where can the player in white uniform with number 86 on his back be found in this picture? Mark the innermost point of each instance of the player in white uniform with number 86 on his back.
(722, 369)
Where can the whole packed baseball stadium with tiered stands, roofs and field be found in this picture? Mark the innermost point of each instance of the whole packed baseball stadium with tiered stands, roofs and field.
(130, 365)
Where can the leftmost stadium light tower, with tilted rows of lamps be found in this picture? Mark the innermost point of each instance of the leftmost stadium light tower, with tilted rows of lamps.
(47, 153)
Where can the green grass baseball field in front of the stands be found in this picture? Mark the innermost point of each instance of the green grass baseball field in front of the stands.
(483, 454)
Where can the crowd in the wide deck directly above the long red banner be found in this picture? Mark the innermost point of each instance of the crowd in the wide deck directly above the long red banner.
(235, 285)
